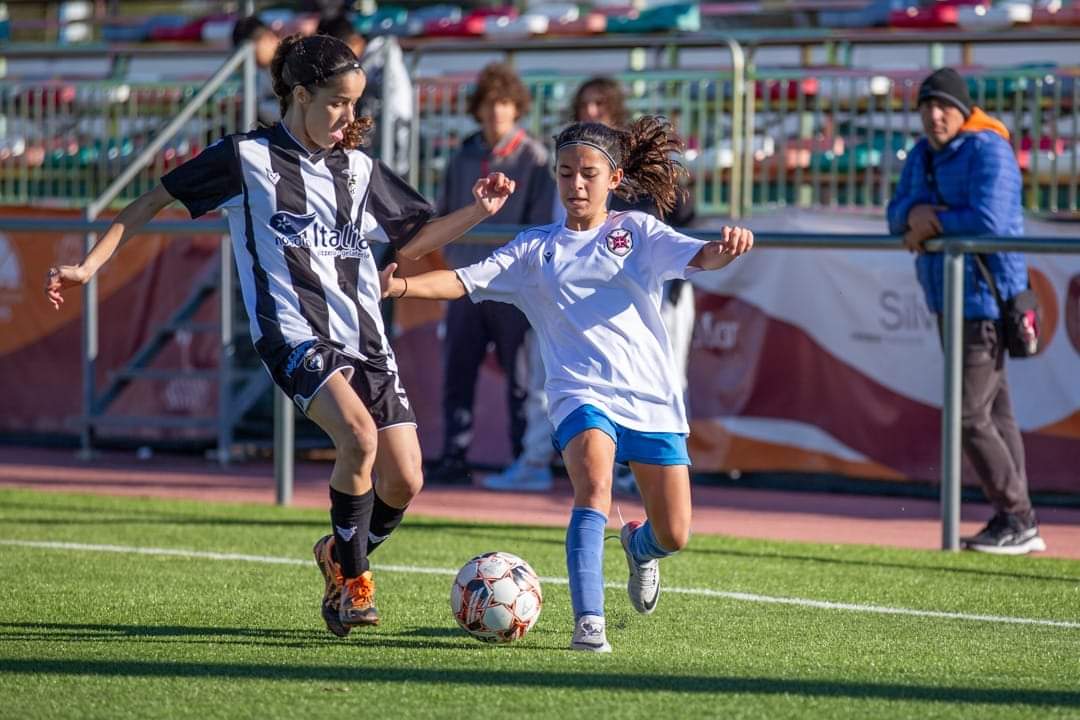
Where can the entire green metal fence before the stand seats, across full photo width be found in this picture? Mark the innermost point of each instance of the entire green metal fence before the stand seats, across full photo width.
(758, 139)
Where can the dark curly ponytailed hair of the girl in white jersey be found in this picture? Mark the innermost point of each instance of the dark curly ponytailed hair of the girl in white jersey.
(647, 152)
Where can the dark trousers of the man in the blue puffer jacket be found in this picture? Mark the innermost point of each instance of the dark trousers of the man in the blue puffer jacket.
(991, 438)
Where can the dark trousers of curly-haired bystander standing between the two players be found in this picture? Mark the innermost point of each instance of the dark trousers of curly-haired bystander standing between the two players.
(470, 329)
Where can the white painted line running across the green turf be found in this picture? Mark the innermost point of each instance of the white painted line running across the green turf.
(701, 592)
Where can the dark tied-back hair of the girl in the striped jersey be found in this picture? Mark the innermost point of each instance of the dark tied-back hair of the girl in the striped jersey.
(314, 62)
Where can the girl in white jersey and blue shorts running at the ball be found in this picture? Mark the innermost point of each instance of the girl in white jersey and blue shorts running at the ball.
(591, 289)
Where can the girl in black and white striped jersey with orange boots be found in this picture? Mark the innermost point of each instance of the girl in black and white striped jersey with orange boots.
(304, 206)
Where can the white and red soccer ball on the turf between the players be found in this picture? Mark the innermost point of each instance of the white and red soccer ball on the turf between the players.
(496, 597)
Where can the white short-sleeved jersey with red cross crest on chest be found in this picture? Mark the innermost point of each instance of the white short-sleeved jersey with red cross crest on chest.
(593, 298)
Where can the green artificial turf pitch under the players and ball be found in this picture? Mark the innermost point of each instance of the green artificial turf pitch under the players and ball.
(93, 634)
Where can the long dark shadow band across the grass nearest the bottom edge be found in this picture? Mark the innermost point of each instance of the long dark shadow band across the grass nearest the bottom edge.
(605, 682)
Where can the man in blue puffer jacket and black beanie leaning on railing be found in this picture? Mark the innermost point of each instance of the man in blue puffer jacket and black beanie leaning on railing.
(963, 180)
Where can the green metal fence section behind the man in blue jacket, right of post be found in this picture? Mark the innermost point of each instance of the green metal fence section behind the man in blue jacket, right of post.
(839, 138)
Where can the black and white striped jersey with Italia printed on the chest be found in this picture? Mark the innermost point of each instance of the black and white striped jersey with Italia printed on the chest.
(302, 224)
